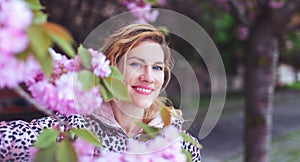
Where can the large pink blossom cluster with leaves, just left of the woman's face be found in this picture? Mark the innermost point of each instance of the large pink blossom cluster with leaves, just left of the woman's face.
(63, 92)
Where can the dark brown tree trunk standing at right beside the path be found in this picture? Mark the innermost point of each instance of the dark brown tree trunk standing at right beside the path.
(261, 61)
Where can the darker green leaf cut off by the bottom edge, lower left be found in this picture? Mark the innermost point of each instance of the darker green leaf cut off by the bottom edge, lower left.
(46, 154)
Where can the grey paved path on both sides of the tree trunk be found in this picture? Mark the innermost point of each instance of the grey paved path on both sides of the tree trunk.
(226, 139)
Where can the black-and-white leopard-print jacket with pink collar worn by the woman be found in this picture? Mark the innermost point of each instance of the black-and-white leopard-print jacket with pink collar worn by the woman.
(16, 137)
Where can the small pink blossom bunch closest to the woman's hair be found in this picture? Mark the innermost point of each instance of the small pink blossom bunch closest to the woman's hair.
(100, 66)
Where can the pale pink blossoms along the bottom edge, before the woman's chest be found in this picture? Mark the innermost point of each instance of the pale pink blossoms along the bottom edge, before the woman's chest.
(163, 148)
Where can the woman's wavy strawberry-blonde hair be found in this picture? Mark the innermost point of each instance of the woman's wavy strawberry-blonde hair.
(123, 40)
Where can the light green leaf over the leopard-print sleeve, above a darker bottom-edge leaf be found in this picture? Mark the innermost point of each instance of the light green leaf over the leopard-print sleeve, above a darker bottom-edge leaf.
(46, 138)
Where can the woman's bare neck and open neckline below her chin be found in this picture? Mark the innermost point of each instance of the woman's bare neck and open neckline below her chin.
(127, 116)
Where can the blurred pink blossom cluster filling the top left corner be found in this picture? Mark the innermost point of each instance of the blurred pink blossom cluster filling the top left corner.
(15, 18)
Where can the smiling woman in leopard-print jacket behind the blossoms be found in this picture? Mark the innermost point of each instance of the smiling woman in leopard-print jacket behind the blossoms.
(142, 55)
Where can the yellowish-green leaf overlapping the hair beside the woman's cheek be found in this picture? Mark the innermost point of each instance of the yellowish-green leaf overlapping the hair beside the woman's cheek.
(116, 88)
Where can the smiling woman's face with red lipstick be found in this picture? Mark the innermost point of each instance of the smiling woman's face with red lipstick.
(143, 70)
